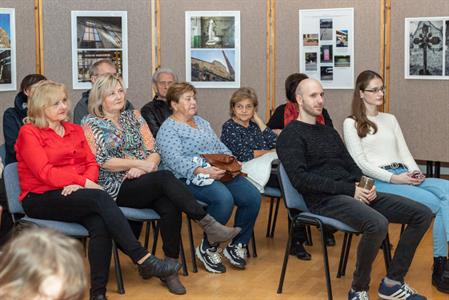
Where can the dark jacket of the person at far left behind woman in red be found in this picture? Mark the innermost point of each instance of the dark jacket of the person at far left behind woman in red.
(12, 121)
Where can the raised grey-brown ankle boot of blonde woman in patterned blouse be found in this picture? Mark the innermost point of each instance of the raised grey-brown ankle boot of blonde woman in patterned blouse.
(216, 232)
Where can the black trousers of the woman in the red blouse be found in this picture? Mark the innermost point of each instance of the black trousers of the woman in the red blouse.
(99, 213)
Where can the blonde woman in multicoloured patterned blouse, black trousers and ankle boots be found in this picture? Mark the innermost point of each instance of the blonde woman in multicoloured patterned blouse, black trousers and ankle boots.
(125, 150)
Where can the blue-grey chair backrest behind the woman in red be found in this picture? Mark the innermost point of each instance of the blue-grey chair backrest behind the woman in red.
(12, 189)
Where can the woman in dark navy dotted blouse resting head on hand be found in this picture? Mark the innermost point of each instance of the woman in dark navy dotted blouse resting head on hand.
(245, 134)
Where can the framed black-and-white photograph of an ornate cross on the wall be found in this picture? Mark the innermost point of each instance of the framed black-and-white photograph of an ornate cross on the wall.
(425, 45)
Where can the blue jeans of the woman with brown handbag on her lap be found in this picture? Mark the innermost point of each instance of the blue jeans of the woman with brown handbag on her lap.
(221, 198)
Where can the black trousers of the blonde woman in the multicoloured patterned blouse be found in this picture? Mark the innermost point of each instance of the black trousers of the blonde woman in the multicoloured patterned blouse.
(169, 197)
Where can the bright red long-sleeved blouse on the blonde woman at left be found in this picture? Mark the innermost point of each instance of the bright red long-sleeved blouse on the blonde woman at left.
(47, 161)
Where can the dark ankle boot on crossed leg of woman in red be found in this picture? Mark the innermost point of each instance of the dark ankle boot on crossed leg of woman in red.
(153, 266)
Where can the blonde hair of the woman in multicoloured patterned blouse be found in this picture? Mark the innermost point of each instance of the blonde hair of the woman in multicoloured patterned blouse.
(101, 89)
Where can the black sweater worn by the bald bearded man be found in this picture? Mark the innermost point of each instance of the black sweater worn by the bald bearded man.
(317, 162)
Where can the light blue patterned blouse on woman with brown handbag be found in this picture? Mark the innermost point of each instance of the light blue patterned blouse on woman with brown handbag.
(180, 143)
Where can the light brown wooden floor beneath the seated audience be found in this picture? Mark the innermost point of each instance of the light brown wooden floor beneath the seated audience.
(304, 280)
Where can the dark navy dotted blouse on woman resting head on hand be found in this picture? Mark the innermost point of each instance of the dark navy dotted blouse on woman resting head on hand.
(243, 141)
